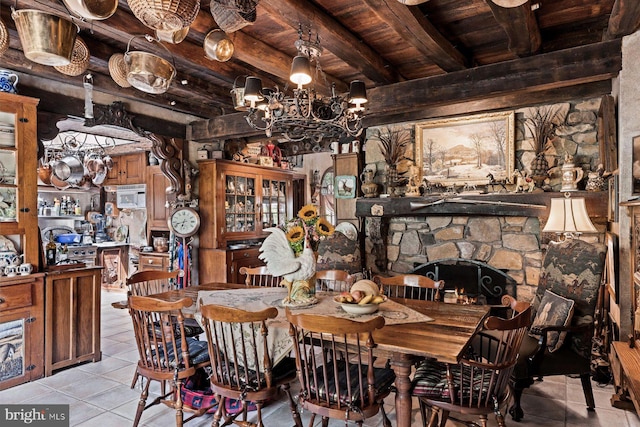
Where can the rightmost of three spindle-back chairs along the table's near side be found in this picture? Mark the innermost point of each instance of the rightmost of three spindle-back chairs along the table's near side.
(349, 387)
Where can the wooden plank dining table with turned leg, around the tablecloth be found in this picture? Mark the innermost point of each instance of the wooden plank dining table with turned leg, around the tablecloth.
(444, 338)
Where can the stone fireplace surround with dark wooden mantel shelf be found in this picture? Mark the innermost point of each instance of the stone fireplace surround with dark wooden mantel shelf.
(398, 237)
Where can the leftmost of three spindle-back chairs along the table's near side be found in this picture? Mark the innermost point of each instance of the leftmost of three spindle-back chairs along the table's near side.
(165, 352)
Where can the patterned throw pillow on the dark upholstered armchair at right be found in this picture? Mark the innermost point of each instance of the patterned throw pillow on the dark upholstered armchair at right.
(554, 311)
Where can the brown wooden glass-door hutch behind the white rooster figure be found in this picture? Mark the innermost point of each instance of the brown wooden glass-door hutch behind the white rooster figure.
(238, 201)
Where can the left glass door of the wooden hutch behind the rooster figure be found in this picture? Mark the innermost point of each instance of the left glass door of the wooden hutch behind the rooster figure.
(240, 204)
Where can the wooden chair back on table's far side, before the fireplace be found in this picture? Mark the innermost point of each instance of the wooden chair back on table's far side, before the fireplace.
(412, 286)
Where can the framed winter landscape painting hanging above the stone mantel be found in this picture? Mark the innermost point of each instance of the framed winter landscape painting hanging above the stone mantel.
(466, 150)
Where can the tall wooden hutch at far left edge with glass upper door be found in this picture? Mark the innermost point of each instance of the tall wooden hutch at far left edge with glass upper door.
(22, 317)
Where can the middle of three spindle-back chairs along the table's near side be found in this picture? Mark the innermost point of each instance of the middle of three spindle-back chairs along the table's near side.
(242, 362)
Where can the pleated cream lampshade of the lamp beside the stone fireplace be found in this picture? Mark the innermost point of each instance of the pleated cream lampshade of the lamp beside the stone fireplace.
(569, 215)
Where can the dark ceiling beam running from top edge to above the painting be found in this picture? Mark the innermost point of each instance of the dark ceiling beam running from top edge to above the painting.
(417, 30)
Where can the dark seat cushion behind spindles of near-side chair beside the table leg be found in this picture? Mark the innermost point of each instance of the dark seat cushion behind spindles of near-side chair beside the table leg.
(384, 378)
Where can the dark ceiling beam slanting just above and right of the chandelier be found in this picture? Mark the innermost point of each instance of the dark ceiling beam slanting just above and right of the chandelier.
(335, 37)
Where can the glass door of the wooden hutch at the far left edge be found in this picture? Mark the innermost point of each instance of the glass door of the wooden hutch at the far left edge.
(8, 172)
